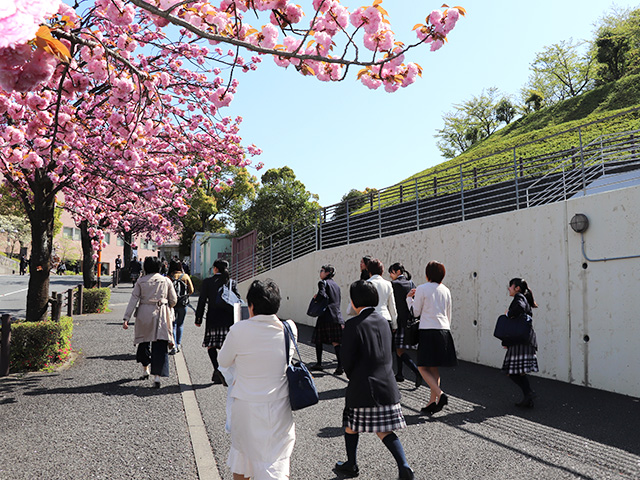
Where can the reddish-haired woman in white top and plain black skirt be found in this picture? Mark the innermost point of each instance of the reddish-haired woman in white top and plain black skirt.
(432, 302)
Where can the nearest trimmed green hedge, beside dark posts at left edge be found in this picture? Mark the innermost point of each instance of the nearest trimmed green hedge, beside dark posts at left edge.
(40, 345)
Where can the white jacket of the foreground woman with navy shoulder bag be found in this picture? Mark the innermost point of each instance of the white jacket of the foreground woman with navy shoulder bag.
(255, 348)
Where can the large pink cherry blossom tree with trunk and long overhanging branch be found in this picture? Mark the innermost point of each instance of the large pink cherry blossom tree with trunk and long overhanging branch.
(115, 104)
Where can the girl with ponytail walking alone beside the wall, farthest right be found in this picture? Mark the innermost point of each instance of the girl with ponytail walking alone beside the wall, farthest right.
(521, 359)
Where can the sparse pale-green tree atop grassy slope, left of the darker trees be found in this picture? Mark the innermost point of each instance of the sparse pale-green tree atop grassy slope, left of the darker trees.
(561, 71)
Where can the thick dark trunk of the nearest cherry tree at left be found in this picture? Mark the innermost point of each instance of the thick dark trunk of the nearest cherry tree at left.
(41, 218)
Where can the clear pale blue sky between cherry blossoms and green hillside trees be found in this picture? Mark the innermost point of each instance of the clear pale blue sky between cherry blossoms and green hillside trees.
(338, 136)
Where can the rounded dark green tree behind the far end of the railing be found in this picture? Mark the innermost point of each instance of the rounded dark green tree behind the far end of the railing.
(280, 201)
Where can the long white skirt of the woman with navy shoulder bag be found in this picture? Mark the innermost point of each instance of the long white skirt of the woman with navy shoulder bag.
(262, 439)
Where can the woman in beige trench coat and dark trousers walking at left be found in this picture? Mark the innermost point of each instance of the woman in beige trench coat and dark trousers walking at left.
(152, 299)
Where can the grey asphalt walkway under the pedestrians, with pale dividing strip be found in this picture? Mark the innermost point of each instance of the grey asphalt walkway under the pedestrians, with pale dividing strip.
(96, 419)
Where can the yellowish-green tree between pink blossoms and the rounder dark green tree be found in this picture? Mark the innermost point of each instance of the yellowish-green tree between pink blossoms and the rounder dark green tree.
(213, 206)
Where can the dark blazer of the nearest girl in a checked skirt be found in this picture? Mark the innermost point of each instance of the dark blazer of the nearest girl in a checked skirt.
(366, 358)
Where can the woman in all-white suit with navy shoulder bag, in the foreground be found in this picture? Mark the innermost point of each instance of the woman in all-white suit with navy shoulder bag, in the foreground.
(261, 421)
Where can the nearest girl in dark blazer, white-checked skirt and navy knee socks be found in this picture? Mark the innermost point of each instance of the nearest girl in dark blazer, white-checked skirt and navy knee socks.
(372, 400)
